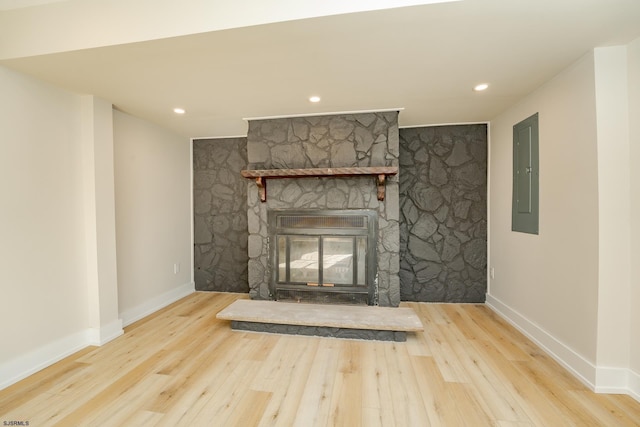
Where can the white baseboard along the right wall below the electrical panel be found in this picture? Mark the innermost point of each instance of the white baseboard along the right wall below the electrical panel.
(598, 379)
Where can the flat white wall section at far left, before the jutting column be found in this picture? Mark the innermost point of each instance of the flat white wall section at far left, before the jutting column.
(42, 252)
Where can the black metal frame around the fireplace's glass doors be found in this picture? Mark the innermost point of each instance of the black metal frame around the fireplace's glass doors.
(338, 292)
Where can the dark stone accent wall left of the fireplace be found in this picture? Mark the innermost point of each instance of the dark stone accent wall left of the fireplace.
(220, 215)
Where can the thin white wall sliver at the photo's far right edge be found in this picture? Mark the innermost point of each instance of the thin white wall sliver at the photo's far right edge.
(633, 73)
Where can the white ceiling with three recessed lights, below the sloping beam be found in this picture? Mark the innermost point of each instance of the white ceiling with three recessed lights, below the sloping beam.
(424, 59)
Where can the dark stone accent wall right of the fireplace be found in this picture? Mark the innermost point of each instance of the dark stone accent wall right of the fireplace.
(443, 214)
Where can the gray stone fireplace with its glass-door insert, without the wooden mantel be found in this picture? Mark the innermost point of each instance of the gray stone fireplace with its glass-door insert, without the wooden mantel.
(333, 141)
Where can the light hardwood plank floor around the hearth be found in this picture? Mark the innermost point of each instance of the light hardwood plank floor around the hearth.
(182, 366)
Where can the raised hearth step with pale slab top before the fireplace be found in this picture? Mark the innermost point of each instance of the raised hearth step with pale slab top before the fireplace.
(364, 322)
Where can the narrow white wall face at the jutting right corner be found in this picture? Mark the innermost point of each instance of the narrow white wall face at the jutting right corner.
(614, 228)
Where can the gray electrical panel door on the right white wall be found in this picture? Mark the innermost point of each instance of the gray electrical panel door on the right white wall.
(524, 215)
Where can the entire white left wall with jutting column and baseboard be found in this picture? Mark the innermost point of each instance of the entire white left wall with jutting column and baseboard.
(59, 282)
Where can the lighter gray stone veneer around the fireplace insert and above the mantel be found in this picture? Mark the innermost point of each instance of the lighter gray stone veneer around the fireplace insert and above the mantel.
(325, 141)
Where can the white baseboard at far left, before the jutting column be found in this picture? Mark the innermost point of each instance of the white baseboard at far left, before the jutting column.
(32, 362)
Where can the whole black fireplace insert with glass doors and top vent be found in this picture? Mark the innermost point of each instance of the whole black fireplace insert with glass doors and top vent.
(326, 256)
